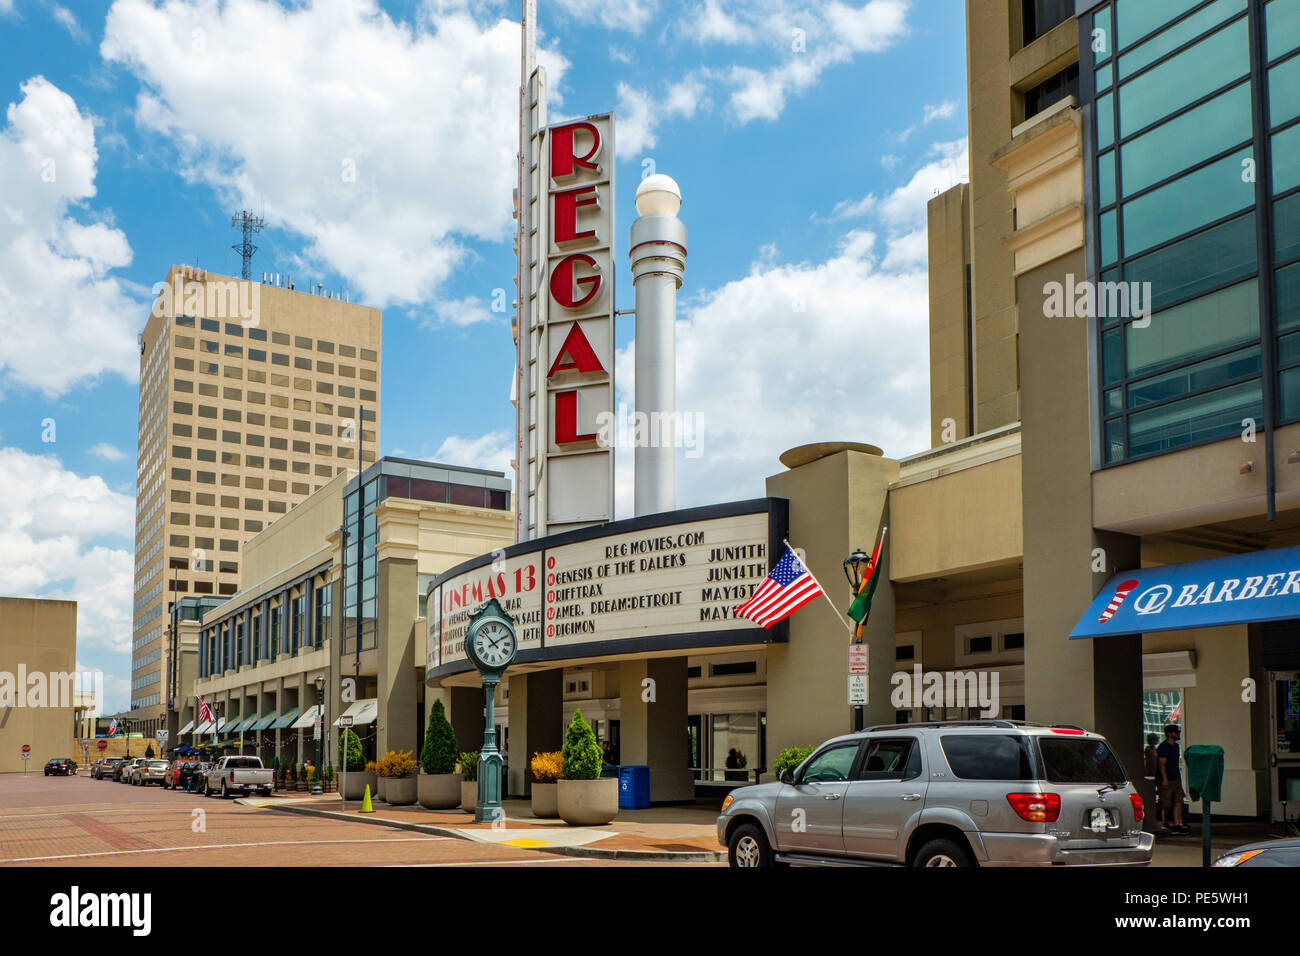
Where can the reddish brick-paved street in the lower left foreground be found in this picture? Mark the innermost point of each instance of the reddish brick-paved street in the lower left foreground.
(62, 821)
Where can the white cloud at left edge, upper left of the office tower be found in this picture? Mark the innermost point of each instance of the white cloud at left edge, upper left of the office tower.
(66, 319)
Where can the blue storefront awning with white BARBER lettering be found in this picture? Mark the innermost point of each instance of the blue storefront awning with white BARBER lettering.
(1237, 590)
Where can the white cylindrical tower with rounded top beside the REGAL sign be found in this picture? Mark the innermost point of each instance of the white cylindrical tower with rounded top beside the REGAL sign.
(658, 254)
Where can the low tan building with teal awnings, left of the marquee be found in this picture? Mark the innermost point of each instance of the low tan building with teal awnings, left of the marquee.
(261, 652)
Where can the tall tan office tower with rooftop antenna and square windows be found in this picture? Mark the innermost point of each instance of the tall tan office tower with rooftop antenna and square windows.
(253, 397)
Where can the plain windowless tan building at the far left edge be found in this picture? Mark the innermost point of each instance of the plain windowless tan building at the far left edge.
(40, 700)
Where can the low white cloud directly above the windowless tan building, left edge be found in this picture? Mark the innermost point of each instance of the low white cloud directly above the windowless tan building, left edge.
(53, 526)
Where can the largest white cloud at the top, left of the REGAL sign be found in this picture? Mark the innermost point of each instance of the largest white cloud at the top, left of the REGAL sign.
(385, 145)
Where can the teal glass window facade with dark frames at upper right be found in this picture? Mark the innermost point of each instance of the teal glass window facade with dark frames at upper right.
(1193, 144)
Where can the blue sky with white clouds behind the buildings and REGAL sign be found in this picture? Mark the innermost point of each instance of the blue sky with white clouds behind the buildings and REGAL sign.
(378, 140)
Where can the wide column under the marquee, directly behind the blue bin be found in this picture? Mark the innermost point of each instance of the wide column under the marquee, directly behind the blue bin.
(655, 732)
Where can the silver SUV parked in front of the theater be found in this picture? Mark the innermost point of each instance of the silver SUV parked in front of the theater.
(947, 794)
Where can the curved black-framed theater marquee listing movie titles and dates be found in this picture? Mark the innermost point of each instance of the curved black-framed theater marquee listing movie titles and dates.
(662, 582)
